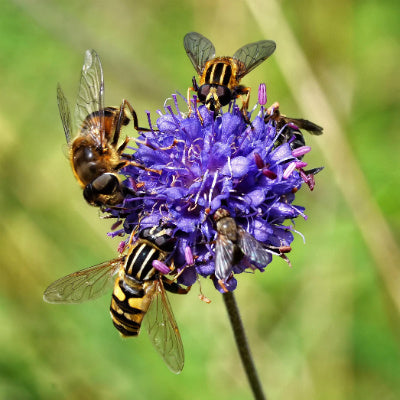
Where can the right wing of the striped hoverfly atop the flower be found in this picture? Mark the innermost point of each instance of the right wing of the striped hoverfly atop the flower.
(253, 54)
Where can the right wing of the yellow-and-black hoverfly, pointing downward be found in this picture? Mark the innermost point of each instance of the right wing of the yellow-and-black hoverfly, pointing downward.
(163, 330)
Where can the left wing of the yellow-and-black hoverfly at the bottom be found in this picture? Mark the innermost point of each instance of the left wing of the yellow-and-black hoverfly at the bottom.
(83, 285)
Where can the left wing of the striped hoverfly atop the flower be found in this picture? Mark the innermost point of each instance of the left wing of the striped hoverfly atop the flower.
(199, 49)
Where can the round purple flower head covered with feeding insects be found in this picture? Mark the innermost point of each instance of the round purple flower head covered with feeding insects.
(209, 163)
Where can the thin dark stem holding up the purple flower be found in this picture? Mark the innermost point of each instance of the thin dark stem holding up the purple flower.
(243, 346)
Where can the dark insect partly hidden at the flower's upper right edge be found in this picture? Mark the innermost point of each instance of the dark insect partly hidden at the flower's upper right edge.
(289, 128)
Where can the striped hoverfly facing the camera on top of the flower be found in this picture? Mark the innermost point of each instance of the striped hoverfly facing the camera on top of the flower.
(220, 76)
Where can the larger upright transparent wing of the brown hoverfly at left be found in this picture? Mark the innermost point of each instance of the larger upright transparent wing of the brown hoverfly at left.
(91, 92)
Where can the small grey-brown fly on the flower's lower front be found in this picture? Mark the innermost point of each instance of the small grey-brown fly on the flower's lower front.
(233, 243)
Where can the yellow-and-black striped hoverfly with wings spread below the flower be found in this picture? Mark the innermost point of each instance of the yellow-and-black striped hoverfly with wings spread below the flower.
(139, 292)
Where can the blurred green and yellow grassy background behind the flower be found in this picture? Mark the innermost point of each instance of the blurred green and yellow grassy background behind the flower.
(329, 327)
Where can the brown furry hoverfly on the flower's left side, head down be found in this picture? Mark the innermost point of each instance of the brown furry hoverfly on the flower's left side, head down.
(94, 153)
